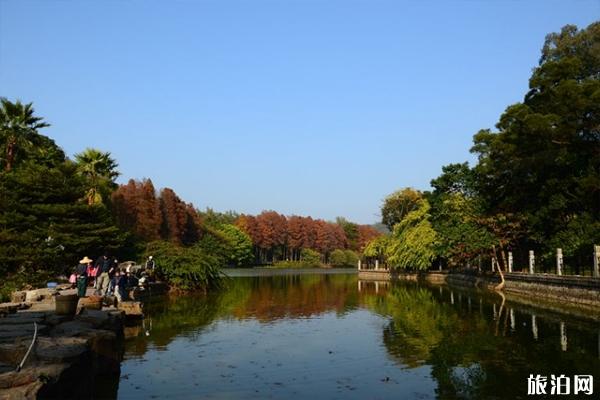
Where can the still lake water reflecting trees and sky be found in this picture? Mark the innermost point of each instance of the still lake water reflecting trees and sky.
(327, 336)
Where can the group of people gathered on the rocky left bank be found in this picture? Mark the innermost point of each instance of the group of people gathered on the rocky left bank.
(107, 278)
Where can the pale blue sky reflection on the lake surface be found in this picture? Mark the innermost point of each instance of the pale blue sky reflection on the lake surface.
(324, 357)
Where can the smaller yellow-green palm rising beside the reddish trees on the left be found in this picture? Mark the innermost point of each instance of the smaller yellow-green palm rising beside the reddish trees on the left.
(100, 170)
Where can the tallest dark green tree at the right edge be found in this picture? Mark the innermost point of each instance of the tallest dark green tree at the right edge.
(542, 165)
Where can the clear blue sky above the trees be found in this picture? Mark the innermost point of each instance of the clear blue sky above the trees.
(306, 107)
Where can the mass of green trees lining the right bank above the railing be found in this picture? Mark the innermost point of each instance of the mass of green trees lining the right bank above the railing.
(536, 185)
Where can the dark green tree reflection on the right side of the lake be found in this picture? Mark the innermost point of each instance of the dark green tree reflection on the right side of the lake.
(486, 351)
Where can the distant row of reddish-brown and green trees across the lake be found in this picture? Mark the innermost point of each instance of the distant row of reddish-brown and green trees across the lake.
(150, 215)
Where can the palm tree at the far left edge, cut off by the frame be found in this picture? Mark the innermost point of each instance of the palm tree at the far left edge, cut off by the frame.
(18, 128)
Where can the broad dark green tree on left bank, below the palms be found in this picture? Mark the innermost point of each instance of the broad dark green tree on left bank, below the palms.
(44, 226)
